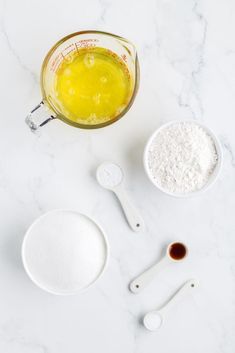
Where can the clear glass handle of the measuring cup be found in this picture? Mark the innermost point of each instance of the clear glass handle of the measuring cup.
(39, 116)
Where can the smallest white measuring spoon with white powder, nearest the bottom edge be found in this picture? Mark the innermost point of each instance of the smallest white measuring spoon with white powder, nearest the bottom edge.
(153, 320)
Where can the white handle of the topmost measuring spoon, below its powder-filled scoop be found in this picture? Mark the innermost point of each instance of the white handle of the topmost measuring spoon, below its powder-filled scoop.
(132, 214)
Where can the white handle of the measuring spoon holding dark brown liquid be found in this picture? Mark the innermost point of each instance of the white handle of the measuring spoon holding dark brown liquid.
(139, 283)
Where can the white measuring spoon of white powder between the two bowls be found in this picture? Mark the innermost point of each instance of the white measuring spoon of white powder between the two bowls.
(110, 176)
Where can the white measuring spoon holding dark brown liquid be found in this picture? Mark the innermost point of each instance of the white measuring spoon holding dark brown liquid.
(175, 252)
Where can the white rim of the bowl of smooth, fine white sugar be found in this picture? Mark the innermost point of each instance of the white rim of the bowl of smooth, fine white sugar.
(40, 285)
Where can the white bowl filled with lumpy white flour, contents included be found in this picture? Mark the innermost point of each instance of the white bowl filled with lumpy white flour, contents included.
(183, 158)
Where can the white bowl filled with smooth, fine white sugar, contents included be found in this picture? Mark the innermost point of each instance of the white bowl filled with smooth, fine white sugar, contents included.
(64, 252)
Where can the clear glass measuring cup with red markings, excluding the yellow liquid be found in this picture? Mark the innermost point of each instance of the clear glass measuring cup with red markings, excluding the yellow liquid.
(49, 108)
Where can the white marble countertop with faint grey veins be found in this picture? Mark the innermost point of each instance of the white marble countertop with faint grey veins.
(187, 59)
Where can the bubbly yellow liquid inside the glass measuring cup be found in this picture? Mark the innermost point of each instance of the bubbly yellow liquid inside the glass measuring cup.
(93, 87)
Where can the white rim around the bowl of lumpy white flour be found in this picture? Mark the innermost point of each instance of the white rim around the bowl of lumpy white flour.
(214, 175)
